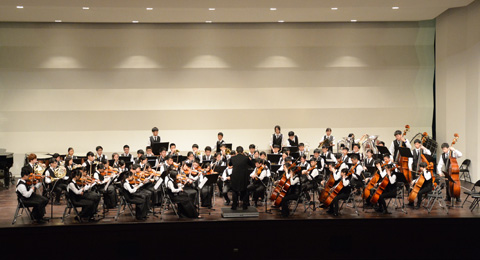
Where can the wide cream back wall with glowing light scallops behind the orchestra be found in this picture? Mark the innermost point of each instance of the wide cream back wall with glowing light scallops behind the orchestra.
(84, 85)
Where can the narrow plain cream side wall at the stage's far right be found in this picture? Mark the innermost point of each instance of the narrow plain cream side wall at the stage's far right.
(458, 80)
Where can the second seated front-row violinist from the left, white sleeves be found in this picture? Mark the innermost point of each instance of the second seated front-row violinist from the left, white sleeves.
(79, 198)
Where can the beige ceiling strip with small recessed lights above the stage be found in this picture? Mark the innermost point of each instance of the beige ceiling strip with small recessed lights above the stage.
(226, 11)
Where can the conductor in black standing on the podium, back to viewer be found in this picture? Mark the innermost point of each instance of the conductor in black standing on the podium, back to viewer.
(240, 177)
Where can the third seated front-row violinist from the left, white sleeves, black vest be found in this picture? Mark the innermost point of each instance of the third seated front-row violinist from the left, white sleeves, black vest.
(134, 196)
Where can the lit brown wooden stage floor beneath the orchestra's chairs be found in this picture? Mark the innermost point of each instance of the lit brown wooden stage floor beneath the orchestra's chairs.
(8, 205)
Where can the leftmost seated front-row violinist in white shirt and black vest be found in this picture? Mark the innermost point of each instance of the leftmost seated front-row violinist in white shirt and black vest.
(27, 192)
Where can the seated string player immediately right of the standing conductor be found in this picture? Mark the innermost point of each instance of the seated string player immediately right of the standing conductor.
(259, 180)
